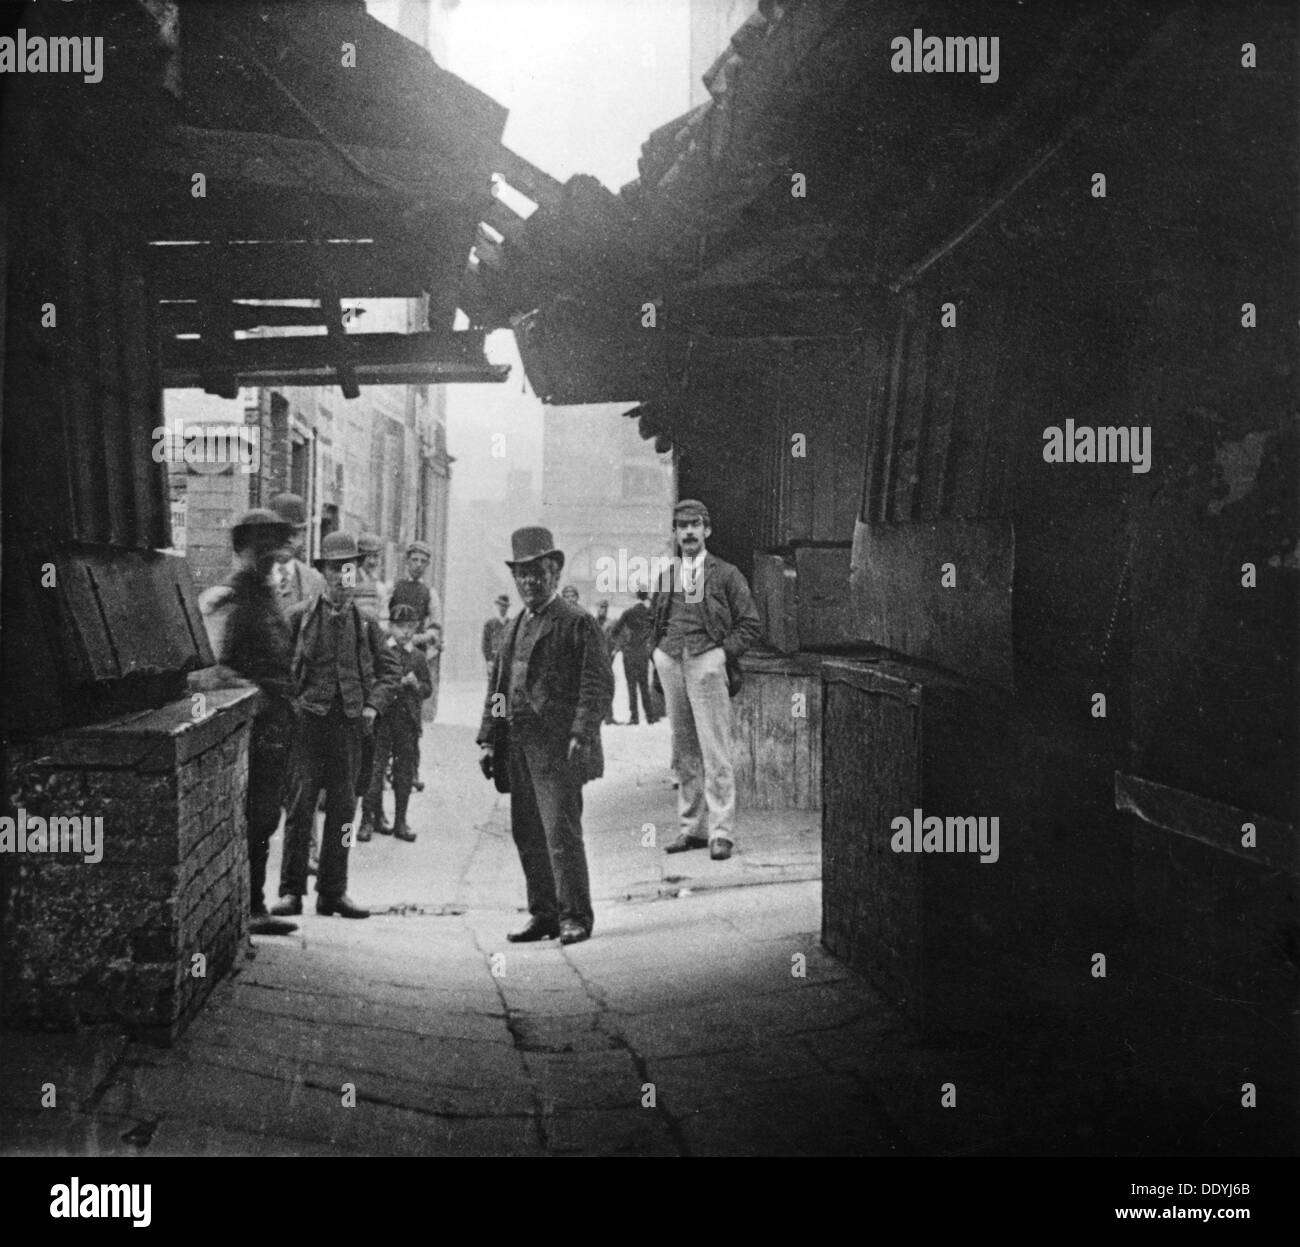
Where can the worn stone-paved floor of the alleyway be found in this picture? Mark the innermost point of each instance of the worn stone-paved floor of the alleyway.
(703, 1019)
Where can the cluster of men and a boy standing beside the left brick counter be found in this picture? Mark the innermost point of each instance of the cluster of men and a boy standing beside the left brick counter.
(343, 663)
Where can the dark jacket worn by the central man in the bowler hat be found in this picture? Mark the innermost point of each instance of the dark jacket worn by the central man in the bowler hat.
(570, 682)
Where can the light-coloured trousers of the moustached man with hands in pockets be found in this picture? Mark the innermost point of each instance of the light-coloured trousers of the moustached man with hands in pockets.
(695, 692)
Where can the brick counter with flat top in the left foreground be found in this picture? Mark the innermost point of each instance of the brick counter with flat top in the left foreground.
(120, 939)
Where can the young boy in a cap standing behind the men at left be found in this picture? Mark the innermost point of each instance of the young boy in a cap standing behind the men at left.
(397, 734)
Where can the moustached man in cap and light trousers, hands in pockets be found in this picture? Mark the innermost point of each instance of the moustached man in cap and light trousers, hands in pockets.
(704, 620)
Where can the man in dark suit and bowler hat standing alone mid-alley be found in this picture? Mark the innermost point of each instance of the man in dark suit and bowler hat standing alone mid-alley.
(551, 690)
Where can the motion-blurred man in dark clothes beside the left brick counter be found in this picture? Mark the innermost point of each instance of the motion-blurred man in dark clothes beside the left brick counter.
(250, 640)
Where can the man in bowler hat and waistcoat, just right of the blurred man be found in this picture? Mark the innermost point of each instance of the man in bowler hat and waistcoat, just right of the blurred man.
(344, 676)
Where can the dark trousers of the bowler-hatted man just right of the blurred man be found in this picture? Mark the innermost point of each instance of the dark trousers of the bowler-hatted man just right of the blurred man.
(328, 755)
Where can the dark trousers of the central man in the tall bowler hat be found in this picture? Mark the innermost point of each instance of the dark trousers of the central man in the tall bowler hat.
(547, 822)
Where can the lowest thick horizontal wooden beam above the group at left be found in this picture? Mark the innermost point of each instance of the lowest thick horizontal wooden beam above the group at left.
(314, 360)
